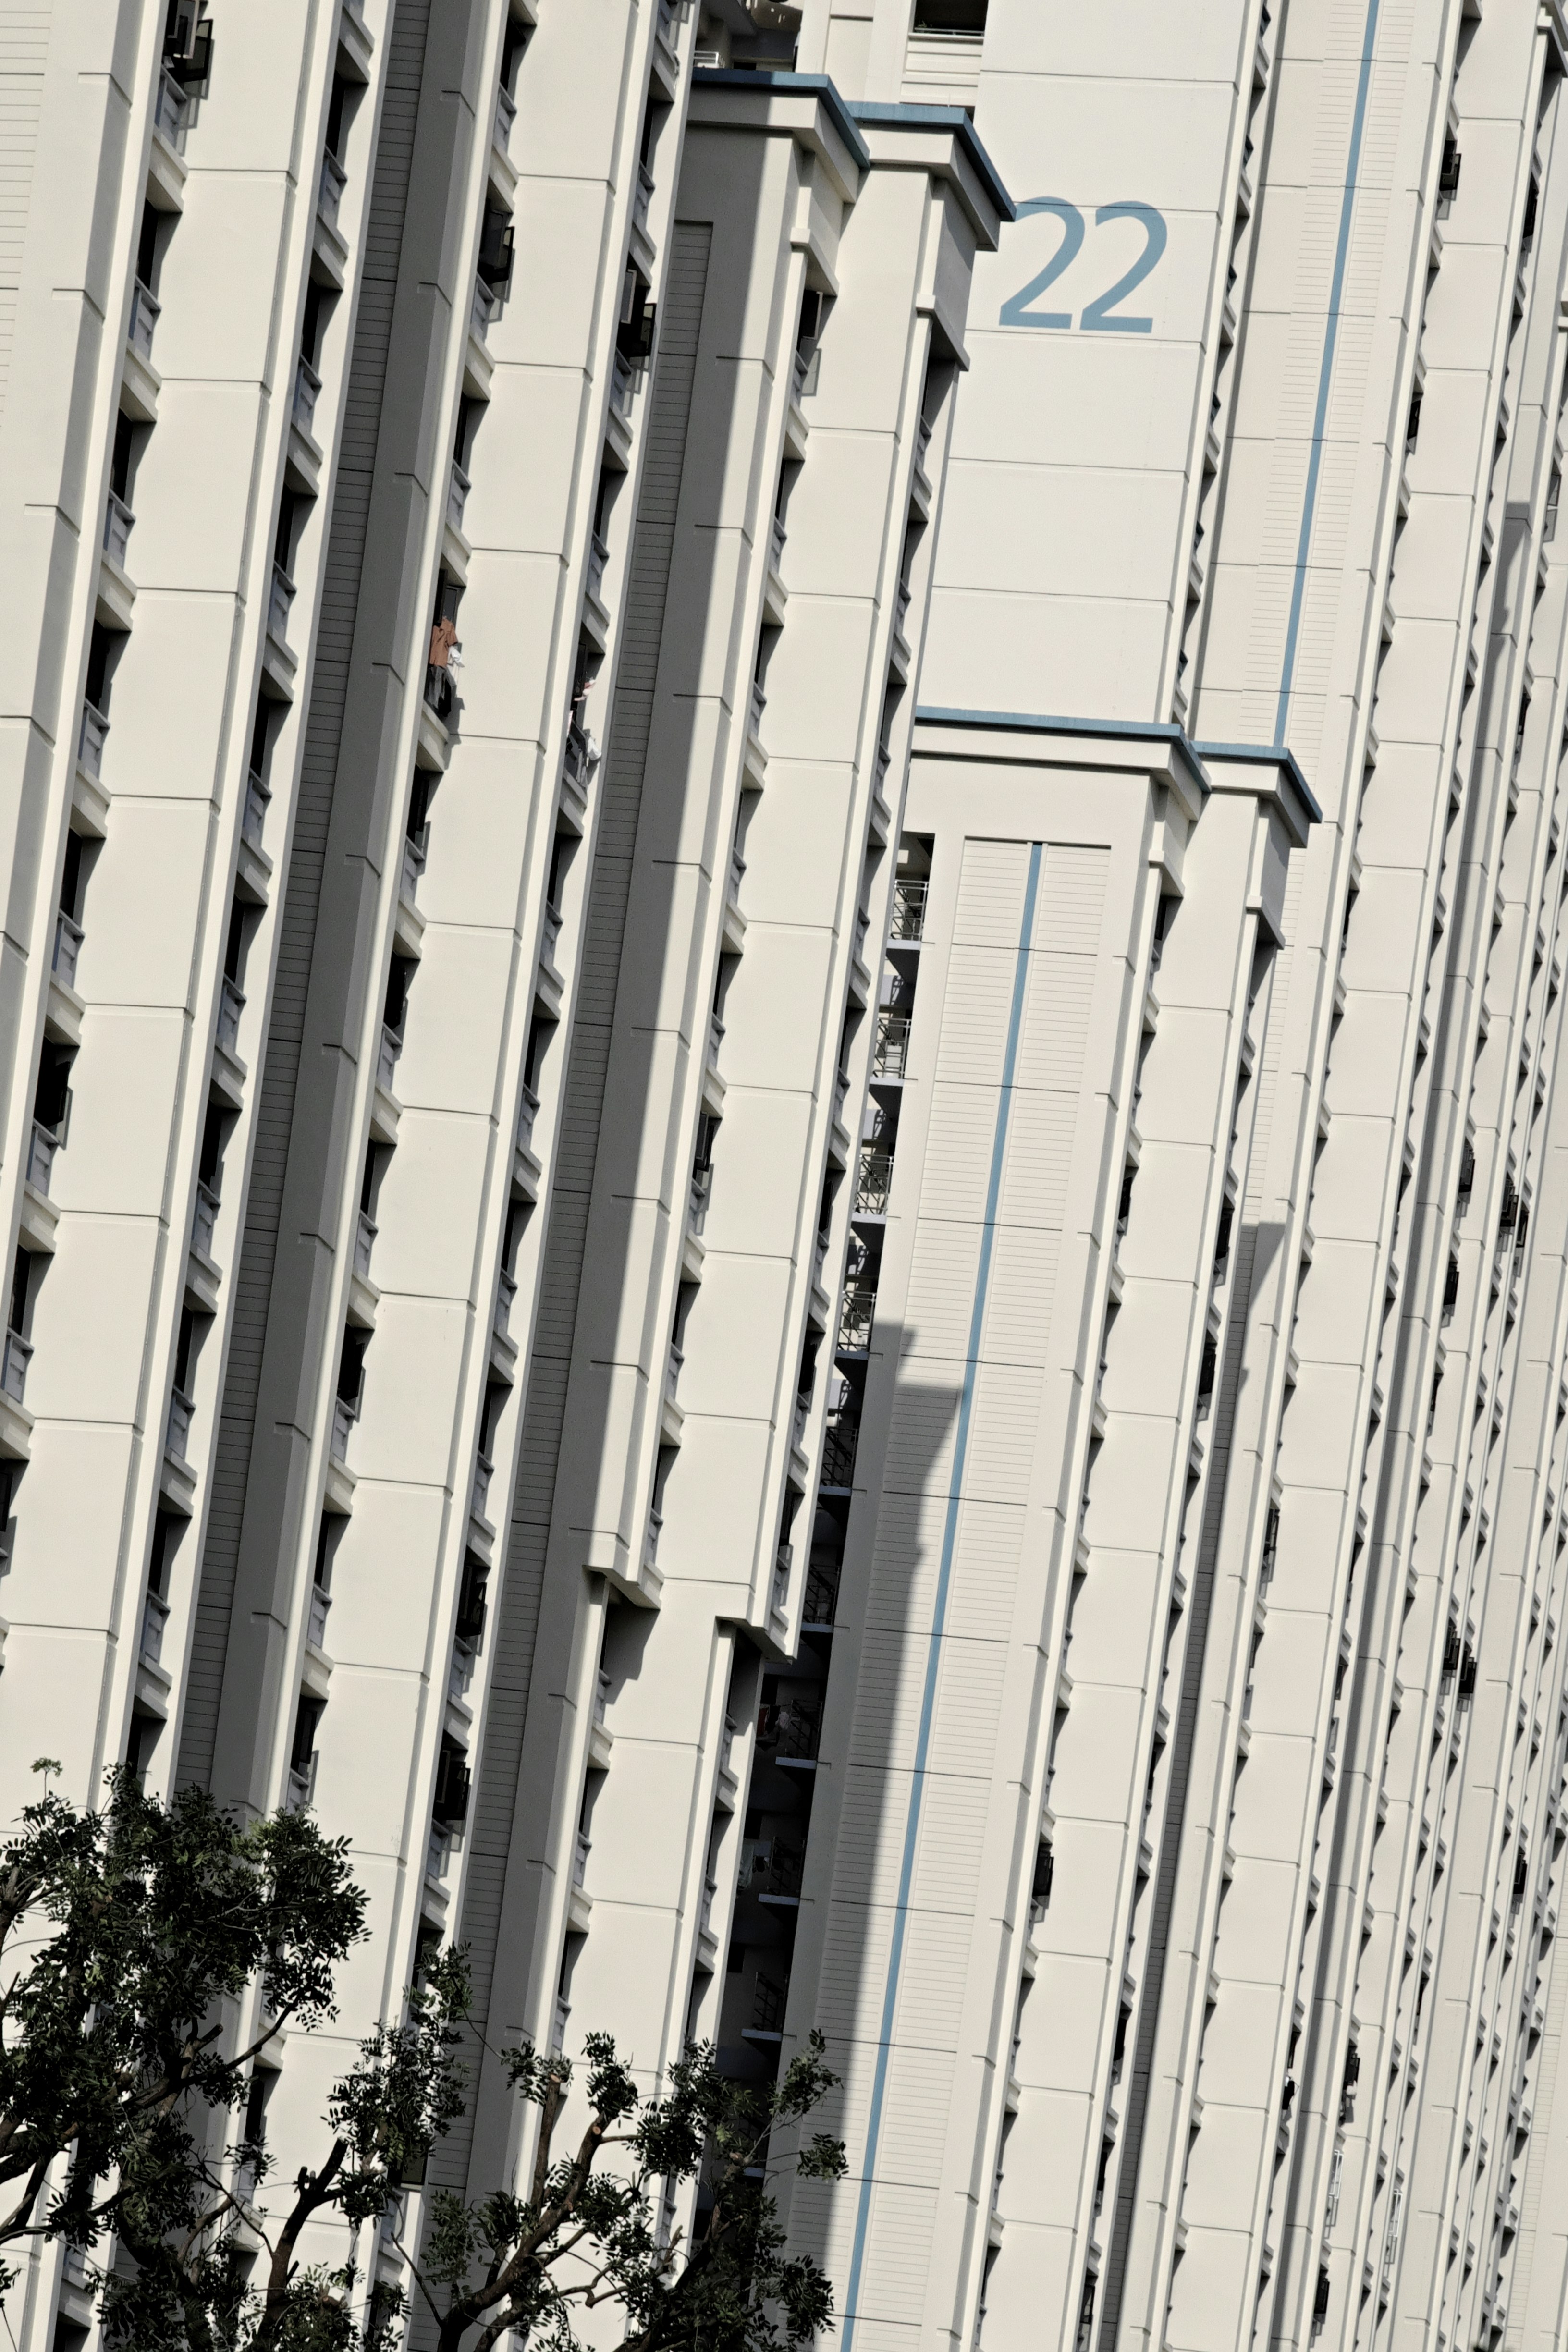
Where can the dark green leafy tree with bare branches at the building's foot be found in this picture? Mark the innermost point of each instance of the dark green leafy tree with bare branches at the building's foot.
(128, 1946)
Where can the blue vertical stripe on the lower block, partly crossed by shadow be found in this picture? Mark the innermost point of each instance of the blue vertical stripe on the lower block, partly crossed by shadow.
(944, 1579)
